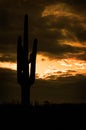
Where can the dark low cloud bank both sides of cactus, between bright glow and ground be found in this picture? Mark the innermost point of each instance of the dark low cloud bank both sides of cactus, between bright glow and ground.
(63, 90)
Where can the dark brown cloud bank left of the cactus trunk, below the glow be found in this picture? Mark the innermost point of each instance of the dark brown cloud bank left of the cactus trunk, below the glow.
(9, 88)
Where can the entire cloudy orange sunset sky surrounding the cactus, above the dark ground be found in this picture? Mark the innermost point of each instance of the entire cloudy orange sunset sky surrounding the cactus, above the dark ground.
(60, 27)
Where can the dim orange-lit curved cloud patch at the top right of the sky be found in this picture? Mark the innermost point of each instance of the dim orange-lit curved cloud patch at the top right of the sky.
(60, 9)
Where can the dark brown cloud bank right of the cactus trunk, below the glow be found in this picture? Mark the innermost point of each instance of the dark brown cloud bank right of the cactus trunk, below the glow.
(63, 90)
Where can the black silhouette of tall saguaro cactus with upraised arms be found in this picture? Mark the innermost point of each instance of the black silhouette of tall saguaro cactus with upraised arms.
(24, 77)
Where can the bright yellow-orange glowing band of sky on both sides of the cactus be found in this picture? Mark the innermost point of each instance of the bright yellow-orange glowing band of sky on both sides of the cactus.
(47, 67)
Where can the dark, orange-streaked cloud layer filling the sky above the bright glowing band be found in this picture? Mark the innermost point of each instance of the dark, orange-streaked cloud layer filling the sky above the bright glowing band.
(59, 25)
